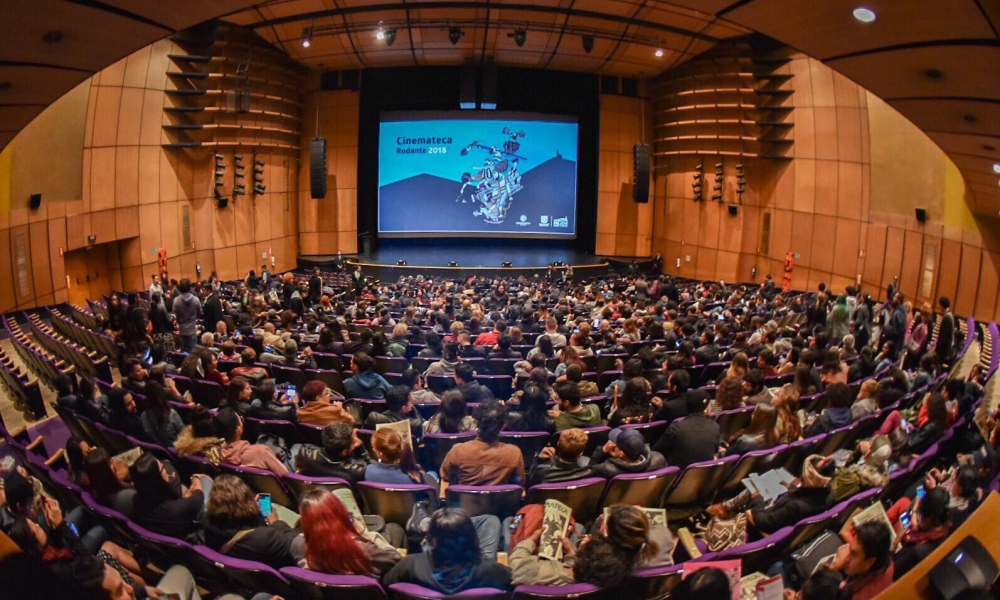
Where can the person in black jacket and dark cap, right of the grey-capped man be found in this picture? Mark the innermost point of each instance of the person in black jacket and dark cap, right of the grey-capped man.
(695, 438)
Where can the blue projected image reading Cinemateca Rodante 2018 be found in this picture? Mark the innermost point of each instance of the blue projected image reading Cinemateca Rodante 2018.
(497, 176)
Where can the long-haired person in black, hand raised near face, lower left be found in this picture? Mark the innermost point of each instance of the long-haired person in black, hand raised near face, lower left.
(162, 504)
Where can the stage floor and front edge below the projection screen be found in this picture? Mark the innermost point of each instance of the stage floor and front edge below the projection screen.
(475, 256)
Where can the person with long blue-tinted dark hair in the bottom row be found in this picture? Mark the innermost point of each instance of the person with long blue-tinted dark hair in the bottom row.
(454, 559)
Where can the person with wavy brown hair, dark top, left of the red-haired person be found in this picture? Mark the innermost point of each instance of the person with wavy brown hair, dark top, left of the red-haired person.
(235, 527)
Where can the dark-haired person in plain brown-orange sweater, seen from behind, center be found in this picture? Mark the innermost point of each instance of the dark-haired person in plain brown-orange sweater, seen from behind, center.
(485, 460)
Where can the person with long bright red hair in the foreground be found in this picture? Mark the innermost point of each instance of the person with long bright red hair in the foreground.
(336, 542)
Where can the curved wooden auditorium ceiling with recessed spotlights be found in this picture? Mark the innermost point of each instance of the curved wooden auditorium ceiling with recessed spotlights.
(935, 62)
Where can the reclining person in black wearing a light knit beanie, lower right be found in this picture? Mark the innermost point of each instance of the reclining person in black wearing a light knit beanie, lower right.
(811, 496)
